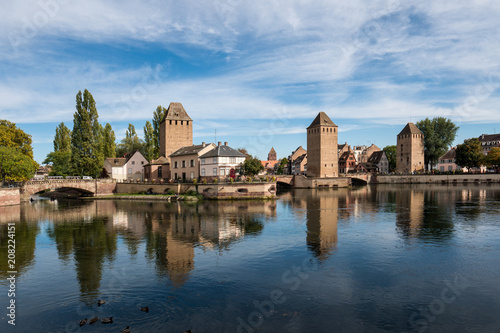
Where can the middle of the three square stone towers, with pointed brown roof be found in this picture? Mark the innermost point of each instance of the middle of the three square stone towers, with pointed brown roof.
(322, 142)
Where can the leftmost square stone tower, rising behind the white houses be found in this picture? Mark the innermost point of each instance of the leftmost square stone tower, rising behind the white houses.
(176, 130)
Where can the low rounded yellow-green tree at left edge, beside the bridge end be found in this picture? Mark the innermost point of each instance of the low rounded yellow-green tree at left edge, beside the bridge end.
(16, 166)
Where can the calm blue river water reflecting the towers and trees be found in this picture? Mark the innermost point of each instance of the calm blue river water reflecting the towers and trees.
(373, 259)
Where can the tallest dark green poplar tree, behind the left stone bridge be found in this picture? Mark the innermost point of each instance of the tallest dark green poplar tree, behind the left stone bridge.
(86, 141)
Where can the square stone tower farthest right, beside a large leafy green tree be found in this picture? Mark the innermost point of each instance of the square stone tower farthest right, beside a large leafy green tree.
(410, 150)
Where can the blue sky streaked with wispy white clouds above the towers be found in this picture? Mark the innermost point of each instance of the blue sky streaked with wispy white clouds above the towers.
(253, 73)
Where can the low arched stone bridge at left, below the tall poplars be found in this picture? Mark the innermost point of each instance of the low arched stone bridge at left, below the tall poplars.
(93, 187)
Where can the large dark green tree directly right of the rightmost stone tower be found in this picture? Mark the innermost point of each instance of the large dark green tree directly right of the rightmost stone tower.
(439, 134)
